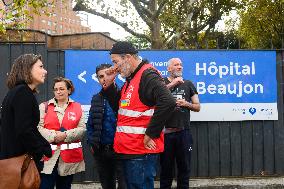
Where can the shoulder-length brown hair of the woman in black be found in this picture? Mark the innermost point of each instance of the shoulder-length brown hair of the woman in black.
(21, 70)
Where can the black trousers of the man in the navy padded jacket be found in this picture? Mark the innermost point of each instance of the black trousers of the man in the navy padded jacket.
(109, 168)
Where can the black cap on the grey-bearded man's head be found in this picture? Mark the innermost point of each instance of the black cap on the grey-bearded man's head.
(123, 47)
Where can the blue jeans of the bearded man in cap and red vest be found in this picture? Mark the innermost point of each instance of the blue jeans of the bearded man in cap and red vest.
(140, 172)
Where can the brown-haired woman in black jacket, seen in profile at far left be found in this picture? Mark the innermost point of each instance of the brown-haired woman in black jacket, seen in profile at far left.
(20, 113)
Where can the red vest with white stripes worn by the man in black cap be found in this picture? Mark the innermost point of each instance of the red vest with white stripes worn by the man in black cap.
(133, 120)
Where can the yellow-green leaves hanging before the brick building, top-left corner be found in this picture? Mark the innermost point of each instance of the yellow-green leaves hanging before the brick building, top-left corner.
(16, 13)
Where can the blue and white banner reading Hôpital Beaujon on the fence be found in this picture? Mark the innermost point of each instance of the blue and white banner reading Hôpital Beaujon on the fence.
(227, 78)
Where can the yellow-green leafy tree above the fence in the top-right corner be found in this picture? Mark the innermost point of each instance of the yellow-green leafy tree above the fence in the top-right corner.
(262, 24)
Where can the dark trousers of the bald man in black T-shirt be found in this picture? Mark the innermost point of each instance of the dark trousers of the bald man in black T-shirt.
(178, 147)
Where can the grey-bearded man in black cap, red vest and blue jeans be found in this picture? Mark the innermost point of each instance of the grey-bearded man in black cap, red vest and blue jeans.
(143, 105)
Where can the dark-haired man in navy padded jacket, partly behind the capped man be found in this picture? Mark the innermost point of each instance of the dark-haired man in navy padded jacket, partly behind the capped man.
(101, 127)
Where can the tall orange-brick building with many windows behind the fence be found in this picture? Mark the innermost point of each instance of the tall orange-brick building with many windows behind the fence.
(57, 18)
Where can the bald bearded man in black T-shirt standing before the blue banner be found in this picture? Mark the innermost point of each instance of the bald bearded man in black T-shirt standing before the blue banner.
(178, 139)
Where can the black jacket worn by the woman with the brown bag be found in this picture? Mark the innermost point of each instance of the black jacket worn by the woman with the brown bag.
(20, 117)
